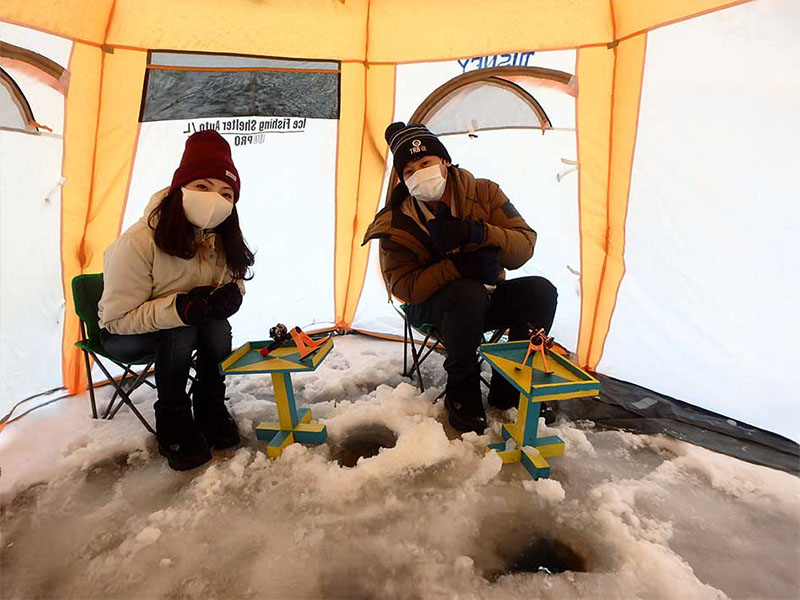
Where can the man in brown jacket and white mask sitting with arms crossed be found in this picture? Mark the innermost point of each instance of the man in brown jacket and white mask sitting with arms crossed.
(445, 240)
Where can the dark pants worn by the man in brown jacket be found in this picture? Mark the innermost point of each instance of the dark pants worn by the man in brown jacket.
(462, 310)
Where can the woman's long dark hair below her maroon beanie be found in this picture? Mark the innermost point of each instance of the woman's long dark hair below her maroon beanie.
(175, 236)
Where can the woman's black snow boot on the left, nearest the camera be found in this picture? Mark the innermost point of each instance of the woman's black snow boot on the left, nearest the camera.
(179, 440)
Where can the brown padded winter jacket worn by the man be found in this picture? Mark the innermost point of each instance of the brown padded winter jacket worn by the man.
(412, 268)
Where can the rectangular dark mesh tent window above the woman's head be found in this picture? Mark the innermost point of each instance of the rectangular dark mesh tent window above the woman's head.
(191, 86)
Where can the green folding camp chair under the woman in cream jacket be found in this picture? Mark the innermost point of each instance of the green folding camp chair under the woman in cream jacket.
(86, 291)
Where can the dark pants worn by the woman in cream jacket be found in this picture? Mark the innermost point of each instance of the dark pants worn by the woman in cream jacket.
(173, 349)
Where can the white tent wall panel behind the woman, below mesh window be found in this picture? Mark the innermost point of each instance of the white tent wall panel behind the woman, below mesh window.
(286, 213)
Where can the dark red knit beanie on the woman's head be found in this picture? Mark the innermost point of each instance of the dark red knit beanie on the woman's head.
(207, 156)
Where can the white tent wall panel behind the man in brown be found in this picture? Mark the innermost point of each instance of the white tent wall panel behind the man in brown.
(525, 164)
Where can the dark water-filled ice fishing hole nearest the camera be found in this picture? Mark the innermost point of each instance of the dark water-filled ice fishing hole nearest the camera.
(542, 555)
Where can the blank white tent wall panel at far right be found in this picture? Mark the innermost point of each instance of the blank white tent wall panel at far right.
(716, 160)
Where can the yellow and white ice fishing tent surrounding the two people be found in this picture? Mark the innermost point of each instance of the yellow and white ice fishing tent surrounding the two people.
(672, 245)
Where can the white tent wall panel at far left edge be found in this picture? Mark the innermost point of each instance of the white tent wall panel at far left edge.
(32, 307)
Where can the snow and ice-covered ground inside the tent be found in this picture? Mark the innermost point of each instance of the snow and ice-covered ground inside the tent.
(90, 510)
